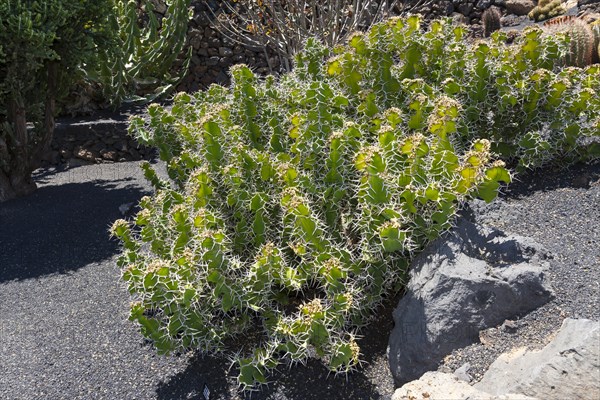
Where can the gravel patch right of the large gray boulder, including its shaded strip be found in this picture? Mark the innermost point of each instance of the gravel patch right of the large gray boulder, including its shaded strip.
(560, 209)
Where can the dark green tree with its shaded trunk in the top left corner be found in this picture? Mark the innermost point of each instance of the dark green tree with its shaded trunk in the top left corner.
(42, 46)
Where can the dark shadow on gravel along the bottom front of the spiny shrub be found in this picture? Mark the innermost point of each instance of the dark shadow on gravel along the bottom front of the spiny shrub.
(310, 381)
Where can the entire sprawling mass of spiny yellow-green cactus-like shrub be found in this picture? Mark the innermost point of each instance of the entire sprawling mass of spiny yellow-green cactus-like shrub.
(294, 206)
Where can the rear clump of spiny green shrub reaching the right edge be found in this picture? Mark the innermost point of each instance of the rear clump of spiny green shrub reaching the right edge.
(519, 97)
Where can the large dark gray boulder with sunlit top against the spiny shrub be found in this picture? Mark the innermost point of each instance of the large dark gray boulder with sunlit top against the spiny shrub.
(464, 282)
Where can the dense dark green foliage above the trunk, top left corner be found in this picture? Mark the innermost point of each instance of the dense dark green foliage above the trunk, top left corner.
(35, 32)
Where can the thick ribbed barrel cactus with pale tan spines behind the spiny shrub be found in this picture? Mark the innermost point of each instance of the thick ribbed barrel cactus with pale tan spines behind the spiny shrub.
(581, 39)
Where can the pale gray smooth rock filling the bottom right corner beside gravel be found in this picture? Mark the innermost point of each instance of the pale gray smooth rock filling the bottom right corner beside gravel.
(567, 368)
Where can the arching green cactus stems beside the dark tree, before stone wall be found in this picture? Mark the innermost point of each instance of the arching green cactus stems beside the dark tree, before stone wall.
(140, 65)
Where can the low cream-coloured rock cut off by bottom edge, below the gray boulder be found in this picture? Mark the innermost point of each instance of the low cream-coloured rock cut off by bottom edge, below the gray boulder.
(441, 386)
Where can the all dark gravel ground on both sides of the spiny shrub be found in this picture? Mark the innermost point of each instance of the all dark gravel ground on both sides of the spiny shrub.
(64, 332)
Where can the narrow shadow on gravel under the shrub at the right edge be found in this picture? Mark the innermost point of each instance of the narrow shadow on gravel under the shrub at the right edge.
(579, 176)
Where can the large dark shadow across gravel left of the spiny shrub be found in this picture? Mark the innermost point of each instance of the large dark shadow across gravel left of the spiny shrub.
(61, 228)
